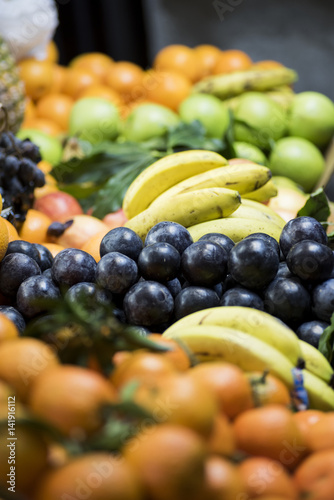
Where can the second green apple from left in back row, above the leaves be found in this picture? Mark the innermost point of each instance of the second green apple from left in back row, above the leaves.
(147, 121)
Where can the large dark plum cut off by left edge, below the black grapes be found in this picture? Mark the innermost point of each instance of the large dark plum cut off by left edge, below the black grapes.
(14, 269)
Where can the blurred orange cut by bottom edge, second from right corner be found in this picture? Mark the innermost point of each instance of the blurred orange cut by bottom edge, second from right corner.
(264, 477)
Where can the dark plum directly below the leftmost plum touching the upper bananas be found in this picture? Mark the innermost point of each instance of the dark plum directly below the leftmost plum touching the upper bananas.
(116, 272)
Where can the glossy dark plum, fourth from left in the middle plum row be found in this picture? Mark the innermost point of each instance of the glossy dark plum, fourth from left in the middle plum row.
(159, 262)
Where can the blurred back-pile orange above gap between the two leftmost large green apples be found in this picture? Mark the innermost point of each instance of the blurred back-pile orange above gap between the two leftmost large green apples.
(126, 78)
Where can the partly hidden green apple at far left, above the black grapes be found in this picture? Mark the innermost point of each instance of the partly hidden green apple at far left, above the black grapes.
(49, 147)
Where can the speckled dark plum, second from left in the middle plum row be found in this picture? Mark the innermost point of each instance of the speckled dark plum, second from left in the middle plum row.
(71, 266)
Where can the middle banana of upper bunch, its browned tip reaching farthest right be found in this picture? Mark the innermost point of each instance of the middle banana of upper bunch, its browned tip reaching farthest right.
(240, 177)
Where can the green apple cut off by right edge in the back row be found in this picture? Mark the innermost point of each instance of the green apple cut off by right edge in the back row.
(312, 117)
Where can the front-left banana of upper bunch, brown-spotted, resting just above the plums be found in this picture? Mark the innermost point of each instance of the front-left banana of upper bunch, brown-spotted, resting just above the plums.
(187, 209)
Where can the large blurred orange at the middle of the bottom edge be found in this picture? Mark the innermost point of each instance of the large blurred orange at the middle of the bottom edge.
(170, 460)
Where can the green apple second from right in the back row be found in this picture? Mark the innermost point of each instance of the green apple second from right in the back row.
(265, 118)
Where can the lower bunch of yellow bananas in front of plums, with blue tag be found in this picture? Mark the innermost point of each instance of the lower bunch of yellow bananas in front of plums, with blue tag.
(255, 341)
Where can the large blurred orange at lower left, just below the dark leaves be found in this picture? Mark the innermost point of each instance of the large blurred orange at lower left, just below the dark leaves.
(70, 398)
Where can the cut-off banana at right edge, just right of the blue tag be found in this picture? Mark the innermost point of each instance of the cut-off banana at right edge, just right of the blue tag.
(321, 396)
